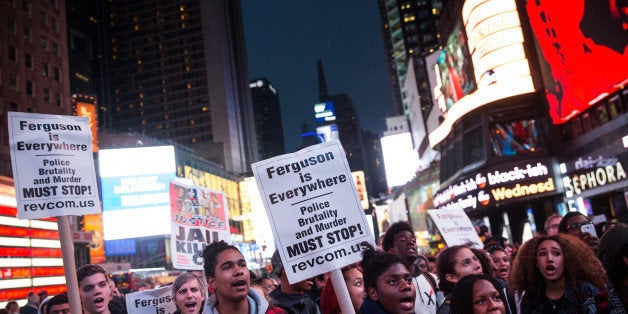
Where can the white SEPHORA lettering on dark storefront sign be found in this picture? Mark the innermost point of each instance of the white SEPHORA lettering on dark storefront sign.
(578, 183)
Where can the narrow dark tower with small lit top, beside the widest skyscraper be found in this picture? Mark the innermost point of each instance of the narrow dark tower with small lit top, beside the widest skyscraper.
(268, 124)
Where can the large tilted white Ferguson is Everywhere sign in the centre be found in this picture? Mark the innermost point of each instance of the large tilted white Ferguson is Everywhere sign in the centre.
(312, 203)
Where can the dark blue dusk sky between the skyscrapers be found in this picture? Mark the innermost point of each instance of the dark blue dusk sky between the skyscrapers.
(285, 38)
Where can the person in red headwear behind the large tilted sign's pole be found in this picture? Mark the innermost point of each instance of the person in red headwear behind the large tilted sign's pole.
(355, 284)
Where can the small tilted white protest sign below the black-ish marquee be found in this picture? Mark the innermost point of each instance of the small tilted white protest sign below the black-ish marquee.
(455, 227)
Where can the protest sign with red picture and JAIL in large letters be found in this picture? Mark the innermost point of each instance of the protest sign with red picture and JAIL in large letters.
(199, 217)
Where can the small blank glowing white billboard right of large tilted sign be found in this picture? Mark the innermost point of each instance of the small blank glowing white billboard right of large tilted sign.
(400, 161)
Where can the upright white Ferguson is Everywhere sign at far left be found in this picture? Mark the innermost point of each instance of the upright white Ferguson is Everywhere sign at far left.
(53, 165)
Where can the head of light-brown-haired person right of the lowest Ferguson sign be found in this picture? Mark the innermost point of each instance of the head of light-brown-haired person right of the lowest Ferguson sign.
(188, 294)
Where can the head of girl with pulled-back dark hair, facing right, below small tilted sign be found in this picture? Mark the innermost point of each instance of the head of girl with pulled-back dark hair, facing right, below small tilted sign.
(452, 264)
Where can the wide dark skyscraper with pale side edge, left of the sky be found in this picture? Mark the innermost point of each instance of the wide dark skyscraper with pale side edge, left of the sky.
(178, 71)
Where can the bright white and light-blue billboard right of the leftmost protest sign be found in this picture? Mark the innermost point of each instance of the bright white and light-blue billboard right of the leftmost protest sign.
(135, 194)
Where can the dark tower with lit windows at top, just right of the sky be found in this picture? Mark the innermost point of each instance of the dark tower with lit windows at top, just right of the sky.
(409, 32)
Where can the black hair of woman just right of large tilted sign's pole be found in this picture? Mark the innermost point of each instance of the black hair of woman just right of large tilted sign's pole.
(375, 263)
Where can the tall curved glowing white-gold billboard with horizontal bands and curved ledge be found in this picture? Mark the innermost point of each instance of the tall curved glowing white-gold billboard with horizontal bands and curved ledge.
(500, 66)
